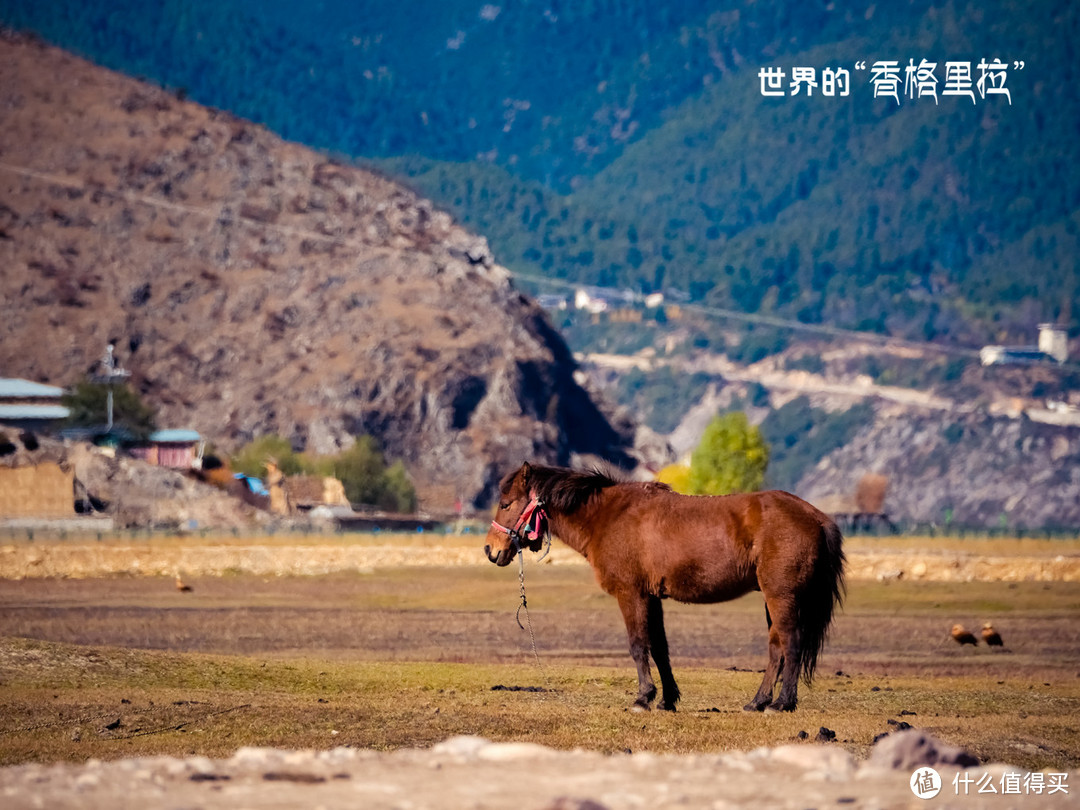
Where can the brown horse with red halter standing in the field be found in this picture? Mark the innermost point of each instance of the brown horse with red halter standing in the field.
(646, 544)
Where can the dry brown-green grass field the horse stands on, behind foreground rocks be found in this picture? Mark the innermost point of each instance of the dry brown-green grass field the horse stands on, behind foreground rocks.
(398, 656)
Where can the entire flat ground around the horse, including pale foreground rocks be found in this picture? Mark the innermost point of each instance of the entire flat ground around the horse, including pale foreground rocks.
(402, 659)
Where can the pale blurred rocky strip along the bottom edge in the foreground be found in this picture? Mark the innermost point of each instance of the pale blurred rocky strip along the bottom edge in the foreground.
(474, 773)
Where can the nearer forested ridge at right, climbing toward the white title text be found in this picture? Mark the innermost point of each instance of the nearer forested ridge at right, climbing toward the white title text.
(956, 223)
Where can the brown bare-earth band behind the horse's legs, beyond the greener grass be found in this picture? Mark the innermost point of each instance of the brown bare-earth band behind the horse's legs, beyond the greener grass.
(467, 615)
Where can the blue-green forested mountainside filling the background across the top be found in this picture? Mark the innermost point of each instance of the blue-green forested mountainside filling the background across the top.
(629, 144)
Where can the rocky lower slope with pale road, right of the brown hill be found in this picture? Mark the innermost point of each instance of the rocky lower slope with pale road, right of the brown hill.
(979, 450)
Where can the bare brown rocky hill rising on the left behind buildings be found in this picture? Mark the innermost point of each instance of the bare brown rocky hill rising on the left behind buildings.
(253, 287)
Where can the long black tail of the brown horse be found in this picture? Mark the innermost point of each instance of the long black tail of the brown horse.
(825, 595)
